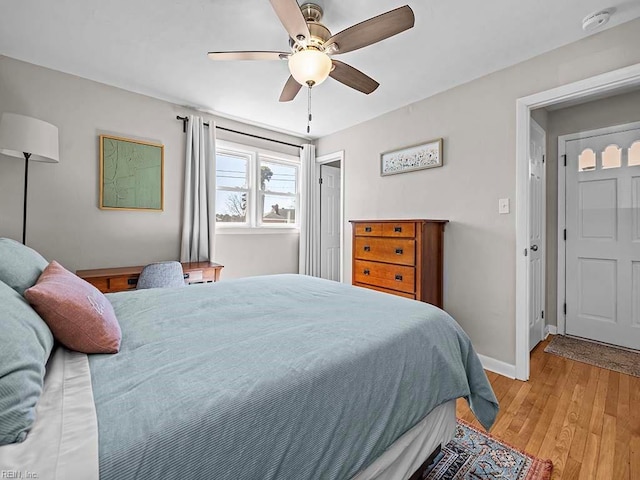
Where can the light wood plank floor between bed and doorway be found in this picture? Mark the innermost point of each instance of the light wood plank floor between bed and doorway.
(584, 418)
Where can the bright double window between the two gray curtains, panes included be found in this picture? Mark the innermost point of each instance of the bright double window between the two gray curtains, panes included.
(256, 188)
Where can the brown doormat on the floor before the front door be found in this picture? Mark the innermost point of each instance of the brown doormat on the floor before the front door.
(603, 356)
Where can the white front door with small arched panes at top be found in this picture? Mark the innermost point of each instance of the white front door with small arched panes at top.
(603, 237)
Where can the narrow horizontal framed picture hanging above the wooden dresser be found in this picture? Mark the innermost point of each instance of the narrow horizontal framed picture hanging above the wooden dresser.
(409, 159)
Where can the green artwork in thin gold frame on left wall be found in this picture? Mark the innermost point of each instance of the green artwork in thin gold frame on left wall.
(131, 174)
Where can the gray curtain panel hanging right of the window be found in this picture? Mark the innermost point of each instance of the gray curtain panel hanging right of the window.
(309, 218)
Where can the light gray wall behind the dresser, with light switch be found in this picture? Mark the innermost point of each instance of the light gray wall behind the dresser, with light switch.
(477, 122)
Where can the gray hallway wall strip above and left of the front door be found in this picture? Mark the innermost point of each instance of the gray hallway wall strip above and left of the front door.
(610, 111)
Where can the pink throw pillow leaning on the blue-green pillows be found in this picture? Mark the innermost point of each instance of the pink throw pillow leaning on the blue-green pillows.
(78, 314)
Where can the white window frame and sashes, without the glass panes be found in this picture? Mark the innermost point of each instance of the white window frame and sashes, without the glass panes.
(254, 223)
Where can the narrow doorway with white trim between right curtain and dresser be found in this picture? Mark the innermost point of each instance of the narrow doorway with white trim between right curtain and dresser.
(331, 178)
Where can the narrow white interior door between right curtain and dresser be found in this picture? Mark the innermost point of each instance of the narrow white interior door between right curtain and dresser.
(330, 222)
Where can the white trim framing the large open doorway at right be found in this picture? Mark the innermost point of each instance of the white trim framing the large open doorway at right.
(597, 85)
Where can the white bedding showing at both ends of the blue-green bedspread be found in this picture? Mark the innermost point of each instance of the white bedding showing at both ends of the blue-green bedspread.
(63, 444)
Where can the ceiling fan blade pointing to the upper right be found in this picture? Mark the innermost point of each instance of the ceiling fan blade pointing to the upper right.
(373, 30)
